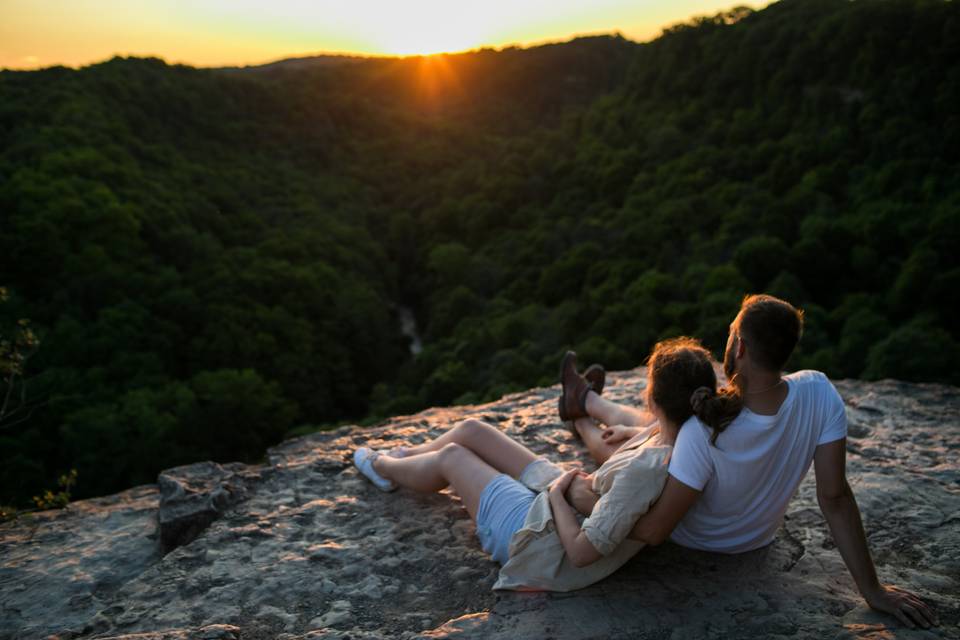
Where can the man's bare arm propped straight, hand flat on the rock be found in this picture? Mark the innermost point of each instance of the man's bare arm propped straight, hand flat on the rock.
(840, 509)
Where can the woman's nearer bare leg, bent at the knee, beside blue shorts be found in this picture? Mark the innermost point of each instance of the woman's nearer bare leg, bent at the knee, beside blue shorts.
(452, 465)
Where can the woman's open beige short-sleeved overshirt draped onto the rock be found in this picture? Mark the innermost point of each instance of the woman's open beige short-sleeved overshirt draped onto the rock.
(628, 483)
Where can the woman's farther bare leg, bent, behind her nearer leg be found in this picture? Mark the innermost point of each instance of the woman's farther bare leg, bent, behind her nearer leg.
(494, 447)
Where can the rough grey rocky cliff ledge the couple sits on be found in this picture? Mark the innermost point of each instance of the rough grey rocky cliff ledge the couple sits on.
(303, 547)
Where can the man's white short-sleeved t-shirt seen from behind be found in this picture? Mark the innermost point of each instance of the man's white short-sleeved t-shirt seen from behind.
(748, 478)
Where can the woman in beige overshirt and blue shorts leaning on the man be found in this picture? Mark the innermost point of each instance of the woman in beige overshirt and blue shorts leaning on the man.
(518, 500)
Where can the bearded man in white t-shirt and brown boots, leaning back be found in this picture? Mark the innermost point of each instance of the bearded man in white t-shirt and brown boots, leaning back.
(728, 491)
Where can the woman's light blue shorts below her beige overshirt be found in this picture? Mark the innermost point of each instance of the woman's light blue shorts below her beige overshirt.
(504, 504)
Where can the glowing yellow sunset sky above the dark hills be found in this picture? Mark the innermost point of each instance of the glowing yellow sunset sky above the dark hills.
(42, 33)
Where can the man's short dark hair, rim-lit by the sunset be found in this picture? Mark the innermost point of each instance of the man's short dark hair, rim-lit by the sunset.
(771, 328)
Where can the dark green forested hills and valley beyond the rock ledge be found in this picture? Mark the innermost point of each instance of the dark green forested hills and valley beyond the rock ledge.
(213, 258)
